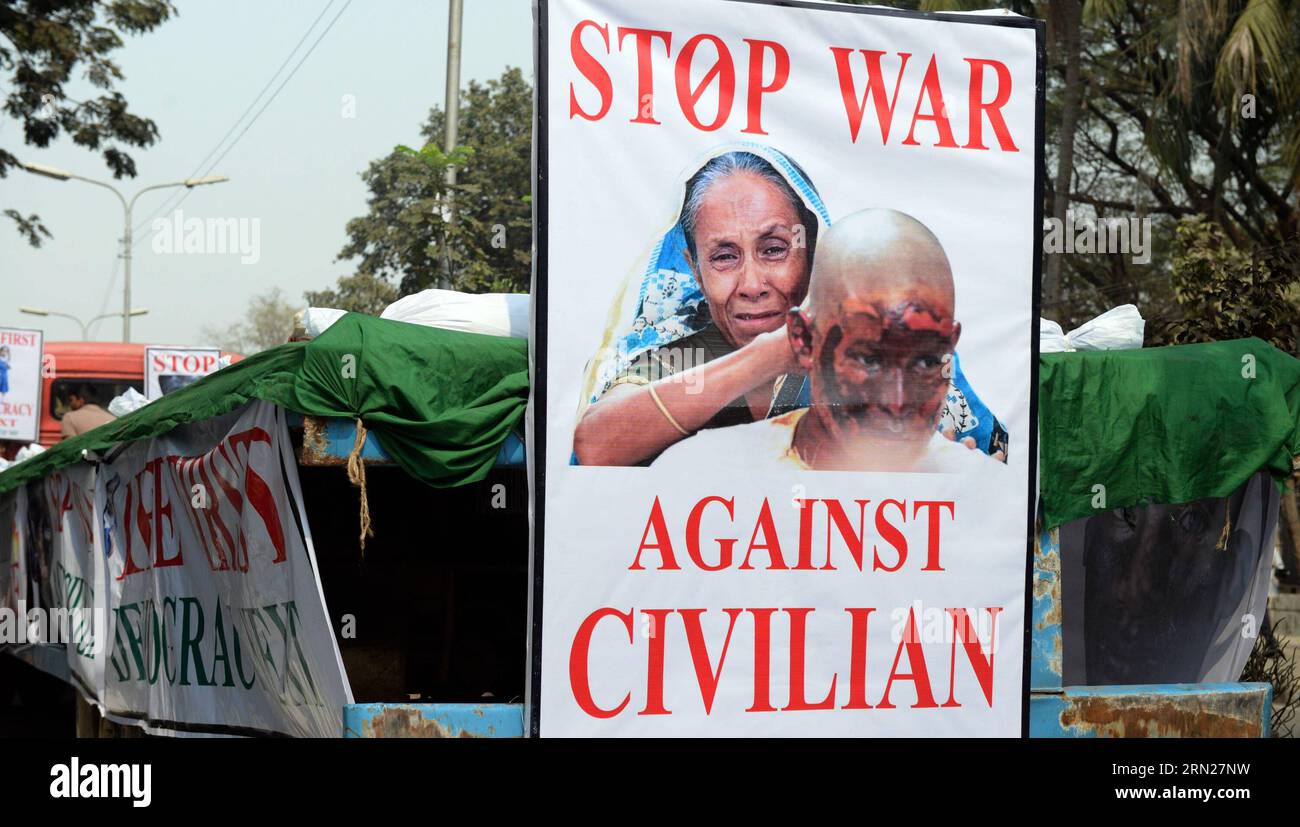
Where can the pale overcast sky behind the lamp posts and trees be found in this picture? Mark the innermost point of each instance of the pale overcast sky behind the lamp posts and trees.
(296, 171)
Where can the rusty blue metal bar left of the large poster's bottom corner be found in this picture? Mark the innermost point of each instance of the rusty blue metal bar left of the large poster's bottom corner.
(434, 721)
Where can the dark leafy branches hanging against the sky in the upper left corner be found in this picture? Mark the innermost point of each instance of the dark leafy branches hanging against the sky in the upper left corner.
(44, 44)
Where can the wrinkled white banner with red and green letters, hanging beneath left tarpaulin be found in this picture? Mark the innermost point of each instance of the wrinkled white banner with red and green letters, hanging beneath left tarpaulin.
(219, 622)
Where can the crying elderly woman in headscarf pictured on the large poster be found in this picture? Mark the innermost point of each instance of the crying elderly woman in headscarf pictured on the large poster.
(701, 344)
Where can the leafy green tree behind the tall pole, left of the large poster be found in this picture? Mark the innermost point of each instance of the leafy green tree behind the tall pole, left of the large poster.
(408, 236)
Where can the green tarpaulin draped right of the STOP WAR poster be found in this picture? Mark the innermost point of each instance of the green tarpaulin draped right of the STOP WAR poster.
(1163, 425)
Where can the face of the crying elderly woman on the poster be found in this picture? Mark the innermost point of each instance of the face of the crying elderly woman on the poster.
(748, 262)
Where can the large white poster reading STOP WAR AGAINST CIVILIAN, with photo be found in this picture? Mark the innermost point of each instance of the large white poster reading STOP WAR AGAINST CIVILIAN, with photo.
(783, 430)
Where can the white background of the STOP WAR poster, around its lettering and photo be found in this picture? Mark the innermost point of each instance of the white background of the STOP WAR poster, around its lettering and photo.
(612, 189)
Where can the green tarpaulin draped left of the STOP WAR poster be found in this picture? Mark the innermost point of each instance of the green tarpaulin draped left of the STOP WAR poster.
(441, 402)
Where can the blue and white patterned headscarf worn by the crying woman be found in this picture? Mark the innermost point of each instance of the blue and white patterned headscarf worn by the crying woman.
(670, 306)
